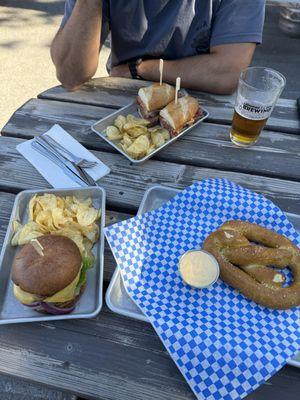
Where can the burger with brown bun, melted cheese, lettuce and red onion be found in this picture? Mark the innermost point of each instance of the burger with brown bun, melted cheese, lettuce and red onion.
(50, 280)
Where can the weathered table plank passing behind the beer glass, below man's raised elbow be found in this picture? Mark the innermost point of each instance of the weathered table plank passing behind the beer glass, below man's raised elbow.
(118, 92)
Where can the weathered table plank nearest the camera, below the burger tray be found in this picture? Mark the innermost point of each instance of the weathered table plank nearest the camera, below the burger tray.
(112, 357)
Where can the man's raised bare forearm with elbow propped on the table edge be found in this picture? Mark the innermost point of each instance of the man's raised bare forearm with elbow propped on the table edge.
(75, 49)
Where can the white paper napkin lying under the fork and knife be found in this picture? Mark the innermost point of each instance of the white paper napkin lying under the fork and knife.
(50, 171)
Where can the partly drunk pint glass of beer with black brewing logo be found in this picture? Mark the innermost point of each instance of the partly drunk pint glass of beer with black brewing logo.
(258, 90)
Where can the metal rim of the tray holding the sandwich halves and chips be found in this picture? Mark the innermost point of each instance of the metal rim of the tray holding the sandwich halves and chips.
(142, 160)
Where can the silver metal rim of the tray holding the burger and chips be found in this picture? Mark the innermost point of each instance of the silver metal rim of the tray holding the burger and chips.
(47, 317)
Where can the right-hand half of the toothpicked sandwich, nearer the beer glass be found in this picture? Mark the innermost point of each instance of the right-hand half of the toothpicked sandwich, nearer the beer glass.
(175, 116)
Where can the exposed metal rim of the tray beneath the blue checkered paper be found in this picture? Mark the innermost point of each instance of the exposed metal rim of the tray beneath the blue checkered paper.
(117, 272)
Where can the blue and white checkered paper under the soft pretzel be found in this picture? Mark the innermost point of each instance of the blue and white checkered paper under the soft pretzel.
(224, 345)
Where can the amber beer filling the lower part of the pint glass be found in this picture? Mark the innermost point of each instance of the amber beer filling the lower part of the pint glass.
(244, 131)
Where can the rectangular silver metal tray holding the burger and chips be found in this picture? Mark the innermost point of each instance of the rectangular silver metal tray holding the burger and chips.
(90, 303)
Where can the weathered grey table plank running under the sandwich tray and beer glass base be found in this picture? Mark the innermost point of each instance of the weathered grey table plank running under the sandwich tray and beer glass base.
(208, 145)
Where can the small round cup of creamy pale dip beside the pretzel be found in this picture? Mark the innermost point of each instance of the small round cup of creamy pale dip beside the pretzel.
(199, 269)
